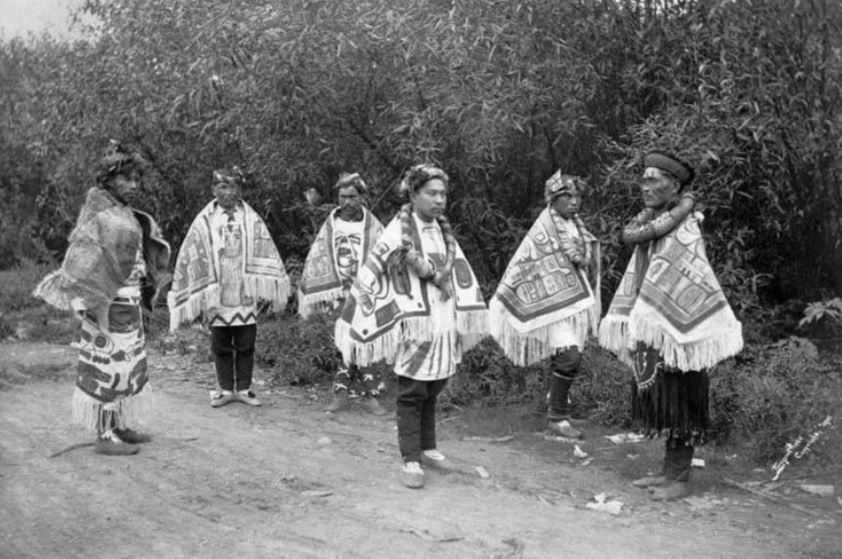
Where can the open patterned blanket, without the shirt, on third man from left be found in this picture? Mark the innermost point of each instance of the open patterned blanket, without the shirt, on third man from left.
(321, 281)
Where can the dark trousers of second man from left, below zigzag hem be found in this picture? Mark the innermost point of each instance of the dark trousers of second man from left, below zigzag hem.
(233, 352)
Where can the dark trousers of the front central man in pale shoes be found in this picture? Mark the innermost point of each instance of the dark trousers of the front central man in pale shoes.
(417, 416)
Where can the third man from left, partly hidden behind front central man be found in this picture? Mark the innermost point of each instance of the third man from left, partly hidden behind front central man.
(342, 243)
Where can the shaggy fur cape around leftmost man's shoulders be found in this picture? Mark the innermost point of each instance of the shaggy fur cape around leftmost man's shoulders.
(102, 253)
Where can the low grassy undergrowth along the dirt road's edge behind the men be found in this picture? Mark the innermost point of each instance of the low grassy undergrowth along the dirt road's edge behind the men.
(770, 395)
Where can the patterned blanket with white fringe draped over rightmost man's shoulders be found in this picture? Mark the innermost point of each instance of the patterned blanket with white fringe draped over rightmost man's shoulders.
(670, 300)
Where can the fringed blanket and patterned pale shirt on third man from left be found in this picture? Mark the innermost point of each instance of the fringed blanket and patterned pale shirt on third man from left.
(333, 261)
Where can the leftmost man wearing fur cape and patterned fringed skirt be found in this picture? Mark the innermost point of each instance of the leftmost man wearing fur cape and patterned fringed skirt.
(116, 260)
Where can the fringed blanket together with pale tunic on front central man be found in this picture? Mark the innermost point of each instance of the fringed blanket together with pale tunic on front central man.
(391, 314)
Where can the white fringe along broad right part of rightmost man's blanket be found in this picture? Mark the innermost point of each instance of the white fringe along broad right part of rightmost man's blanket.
(725, 340)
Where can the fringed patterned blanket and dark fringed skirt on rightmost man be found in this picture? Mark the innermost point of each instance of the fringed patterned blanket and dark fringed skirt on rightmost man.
(670, 322)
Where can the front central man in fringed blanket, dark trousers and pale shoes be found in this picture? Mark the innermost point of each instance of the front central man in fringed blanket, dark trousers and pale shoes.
(415, 302)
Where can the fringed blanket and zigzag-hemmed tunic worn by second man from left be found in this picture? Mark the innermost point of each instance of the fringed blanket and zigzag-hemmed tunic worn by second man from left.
(207, 265)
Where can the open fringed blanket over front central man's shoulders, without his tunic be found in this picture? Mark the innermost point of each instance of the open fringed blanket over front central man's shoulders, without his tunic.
(388, 305)
